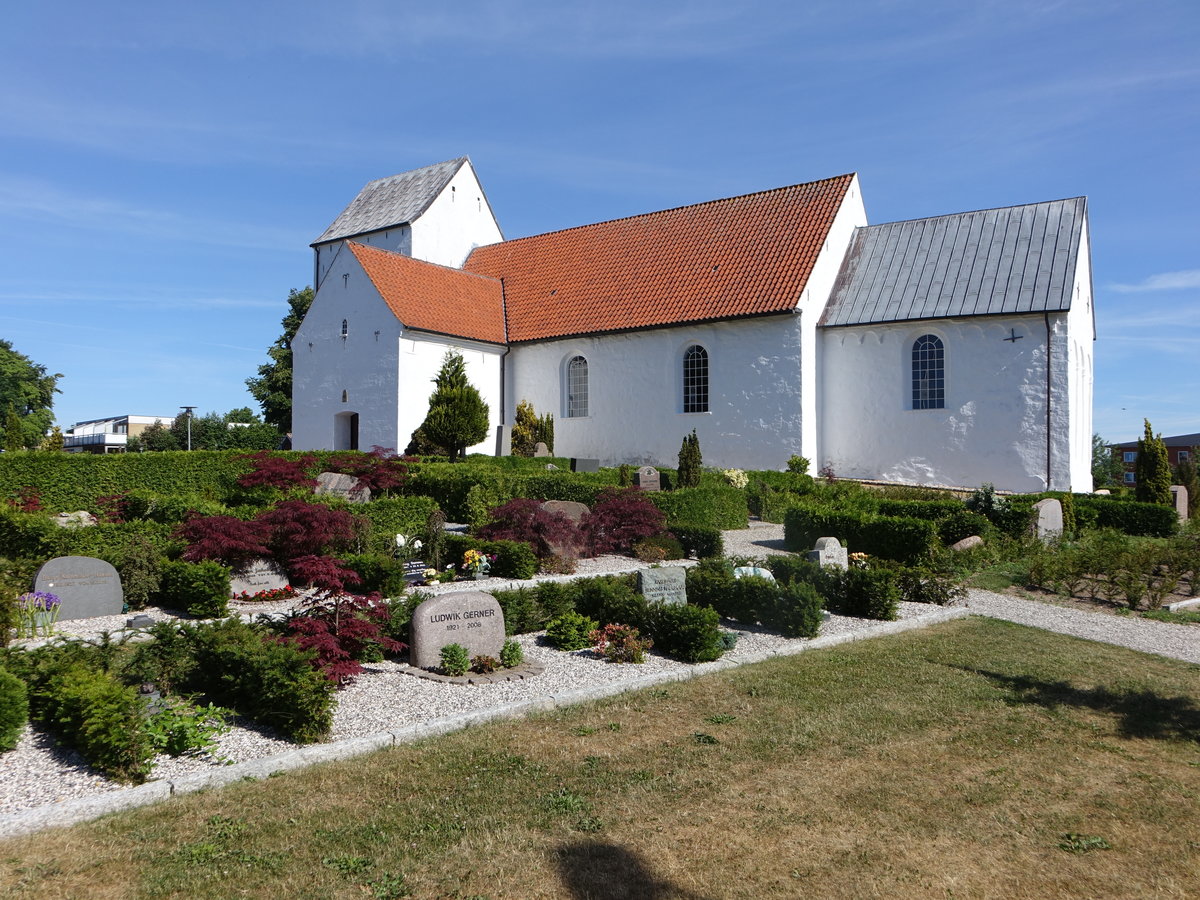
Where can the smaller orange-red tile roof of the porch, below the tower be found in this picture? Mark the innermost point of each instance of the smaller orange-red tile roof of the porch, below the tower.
(435, 298)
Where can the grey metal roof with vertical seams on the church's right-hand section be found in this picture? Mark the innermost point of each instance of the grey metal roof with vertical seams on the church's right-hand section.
(985, 263)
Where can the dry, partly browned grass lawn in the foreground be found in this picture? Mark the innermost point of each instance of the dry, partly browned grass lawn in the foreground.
(974, 760)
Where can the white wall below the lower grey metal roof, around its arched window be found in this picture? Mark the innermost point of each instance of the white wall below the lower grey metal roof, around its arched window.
(994, 425)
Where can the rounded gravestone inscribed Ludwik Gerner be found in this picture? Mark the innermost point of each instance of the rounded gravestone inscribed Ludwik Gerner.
(471, 619)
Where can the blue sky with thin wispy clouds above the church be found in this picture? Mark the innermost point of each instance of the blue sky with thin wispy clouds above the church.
(164, 167)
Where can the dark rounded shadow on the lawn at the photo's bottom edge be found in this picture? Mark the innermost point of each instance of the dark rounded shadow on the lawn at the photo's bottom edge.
(595, 871)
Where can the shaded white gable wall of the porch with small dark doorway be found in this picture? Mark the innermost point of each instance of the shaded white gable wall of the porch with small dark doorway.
(363, 364)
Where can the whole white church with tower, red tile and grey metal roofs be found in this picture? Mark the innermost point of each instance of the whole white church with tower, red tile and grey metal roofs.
(949, 351)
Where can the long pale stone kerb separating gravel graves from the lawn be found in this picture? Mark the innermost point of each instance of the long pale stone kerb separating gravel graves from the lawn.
(73, 812)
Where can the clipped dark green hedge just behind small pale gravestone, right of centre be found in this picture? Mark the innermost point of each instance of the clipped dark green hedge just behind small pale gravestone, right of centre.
(889, 537)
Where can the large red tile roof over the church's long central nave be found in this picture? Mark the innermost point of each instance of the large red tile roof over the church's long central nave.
(743, 256)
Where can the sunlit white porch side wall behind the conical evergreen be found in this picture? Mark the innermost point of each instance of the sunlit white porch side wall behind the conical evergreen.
(419, 359)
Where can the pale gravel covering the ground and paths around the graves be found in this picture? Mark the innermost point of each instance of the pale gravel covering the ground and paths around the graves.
(39, 773)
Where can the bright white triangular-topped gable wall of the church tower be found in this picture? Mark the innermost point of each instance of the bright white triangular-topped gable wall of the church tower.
(458, 221)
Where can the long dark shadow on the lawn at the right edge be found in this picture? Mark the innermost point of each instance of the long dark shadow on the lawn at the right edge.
(1143, 715)
